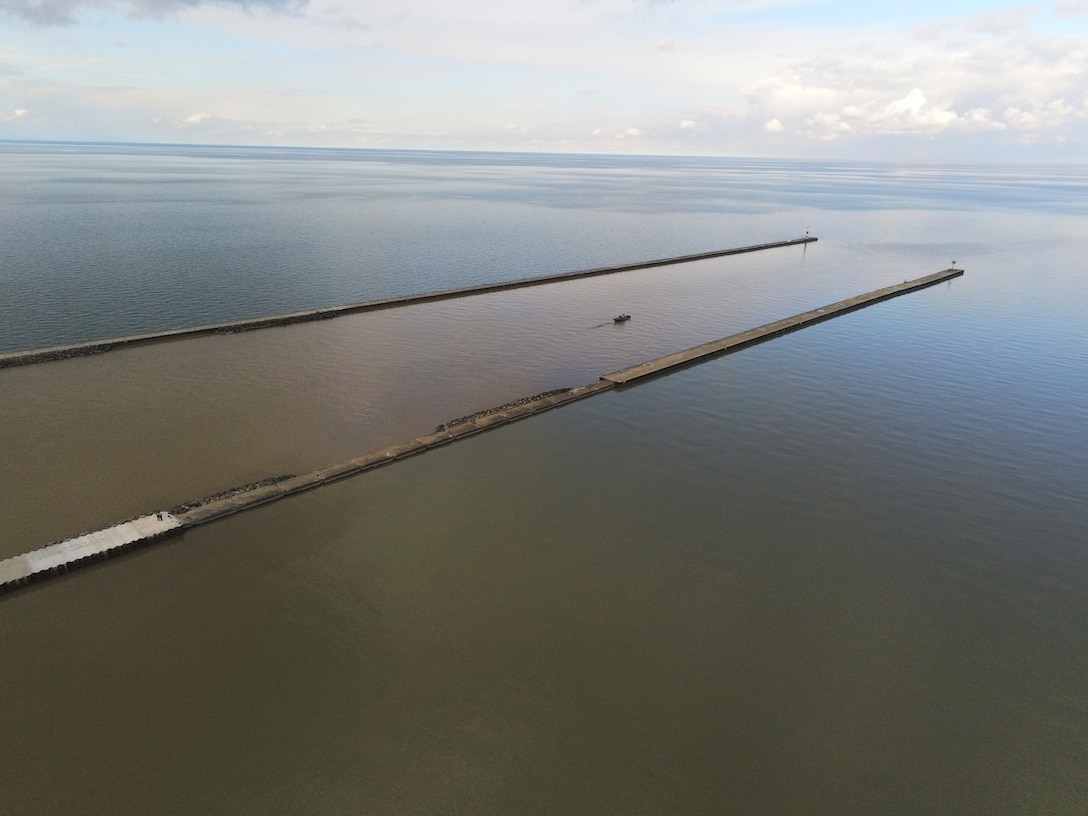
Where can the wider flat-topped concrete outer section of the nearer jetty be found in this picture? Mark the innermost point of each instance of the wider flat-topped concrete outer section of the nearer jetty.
(760, 335)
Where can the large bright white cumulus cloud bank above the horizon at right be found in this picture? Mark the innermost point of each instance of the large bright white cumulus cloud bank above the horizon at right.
(983, 75)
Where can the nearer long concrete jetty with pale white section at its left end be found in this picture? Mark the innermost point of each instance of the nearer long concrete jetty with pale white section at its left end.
(66, 555)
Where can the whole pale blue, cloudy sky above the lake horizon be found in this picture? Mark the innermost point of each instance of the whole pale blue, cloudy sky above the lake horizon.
(959, 81)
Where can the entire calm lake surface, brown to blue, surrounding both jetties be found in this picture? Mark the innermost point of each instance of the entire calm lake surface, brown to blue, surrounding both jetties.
(845, 572)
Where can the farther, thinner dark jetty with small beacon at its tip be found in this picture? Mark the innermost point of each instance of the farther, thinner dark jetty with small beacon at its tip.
(94, 348)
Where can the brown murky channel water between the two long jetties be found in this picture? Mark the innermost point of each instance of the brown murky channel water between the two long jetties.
(96, 440)
